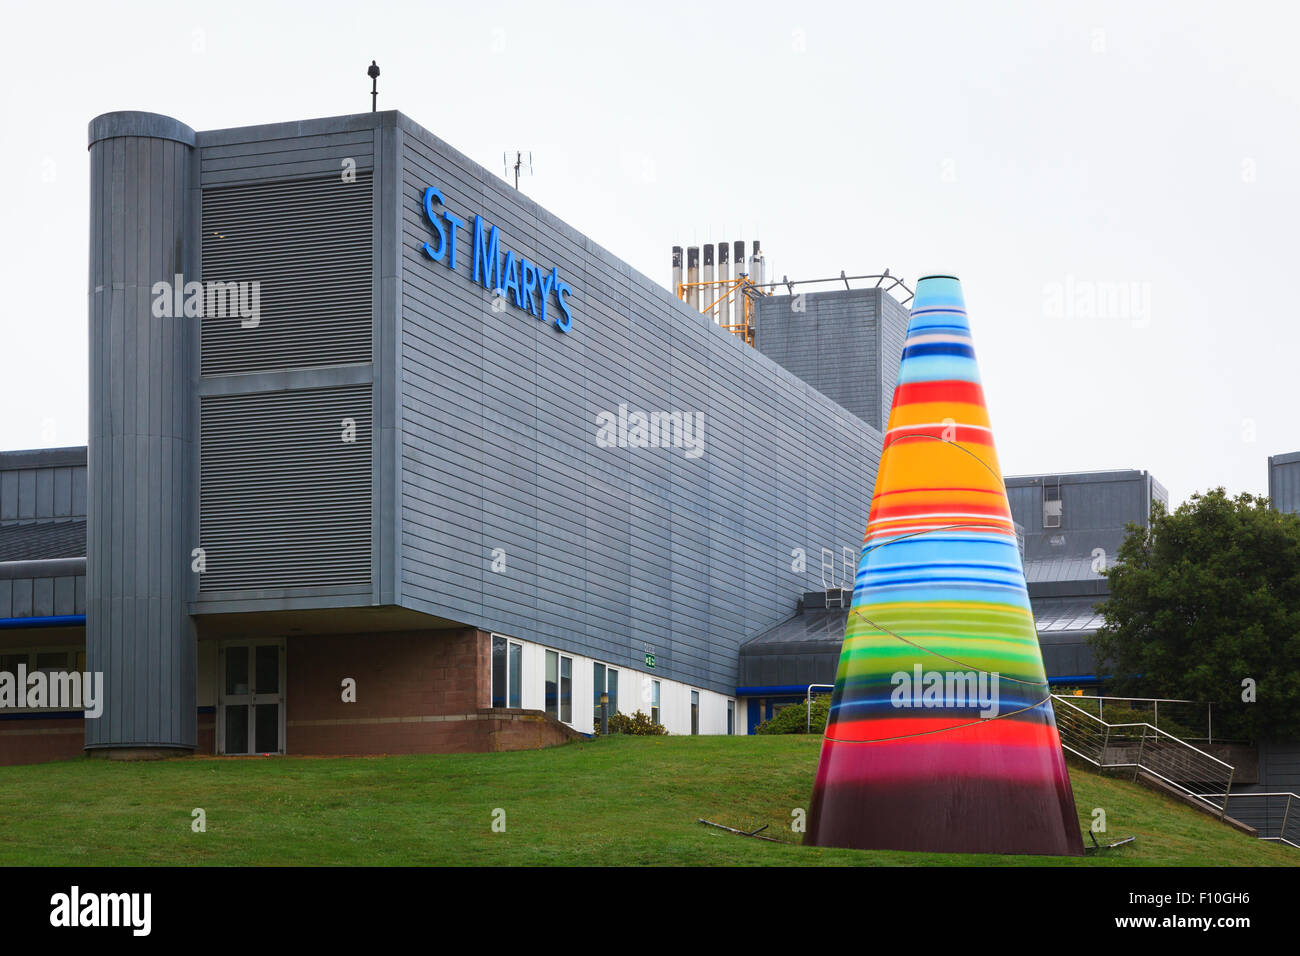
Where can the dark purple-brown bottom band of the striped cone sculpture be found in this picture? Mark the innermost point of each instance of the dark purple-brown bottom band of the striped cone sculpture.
(946, 817)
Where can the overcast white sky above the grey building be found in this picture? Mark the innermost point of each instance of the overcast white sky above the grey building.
(1043, 153)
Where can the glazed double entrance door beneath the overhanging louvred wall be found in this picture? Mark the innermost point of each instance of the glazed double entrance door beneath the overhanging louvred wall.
(253, 698)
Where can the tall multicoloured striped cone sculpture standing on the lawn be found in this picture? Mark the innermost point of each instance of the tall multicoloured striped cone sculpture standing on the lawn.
(942, 734)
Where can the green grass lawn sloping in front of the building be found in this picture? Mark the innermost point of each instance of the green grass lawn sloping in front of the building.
(618, 802)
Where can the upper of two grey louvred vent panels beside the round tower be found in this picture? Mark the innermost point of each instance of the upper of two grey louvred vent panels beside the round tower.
(309, 244)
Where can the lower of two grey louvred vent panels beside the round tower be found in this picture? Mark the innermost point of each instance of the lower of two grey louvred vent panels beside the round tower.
(284, 501)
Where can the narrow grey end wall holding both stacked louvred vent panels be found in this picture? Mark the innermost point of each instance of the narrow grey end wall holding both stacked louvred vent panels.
(285, 503)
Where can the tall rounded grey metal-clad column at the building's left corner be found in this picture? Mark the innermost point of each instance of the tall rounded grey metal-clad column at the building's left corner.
(144, 230)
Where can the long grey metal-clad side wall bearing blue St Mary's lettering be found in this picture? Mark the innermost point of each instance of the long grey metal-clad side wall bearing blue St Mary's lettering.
(606, 551)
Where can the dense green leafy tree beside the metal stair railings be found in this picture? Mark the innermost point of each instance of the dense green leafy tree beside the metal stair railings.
(1204, 600)
